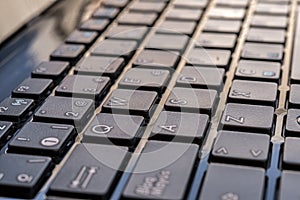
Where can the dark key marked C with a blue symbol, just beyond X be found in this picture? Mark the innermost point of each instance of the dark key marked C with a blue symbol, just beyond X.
(258, 70)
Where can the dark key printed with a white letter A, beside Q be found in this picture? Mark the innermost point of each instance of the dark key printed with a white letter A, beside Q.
(180, 127)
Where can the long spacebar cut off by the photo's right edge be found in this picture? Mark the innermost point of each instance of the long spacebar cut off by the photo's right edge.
(295, 73)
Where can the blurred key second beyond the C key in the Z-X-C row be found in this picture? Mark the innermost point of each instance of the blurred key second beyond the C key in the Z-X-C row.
(266, 35)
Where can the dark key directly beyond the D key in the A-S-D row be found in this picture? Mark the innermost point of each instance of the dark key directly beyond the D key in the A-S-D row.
(209, 57)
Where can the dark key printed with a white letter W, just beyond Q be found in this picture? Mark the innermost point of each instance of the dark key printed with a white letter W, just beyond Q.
(133, 102)
